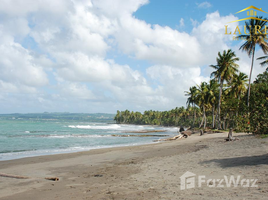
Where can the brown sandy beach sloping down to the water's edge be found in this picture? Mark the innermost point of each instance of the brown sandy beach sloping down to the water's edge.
(145, 172)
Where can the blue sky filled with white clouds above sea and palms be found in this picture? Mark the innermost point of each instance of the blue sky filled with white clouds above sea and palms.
(99, 56)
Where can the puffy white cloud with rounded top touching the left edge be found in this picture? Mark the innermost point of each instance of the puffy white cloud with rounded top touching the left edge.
(19, 70)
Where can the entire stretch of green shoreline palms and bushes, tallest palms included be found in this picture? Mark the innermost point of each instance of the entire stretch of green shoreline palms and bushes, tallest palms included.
(228, 100)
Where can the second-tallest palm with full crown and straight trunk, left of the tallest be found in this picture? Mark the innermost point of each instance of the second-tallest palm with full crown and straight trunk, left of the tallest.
(224, 70)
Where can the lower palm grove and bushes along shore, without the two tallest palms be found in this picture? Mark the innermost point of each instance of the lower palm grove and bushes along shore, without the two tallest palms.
(202, 102)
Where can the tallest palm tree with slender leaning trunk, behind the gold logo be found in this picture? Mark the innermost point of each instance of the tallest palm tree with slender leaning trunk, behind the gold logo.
(254, 38)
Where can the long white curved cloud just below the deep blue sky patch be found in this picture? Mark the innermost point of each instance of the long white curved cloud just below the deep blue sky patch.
(166, 46)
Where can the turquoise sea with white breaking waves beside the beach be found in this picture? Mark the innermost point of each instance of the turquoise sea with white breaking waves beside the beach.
(26, 138)
